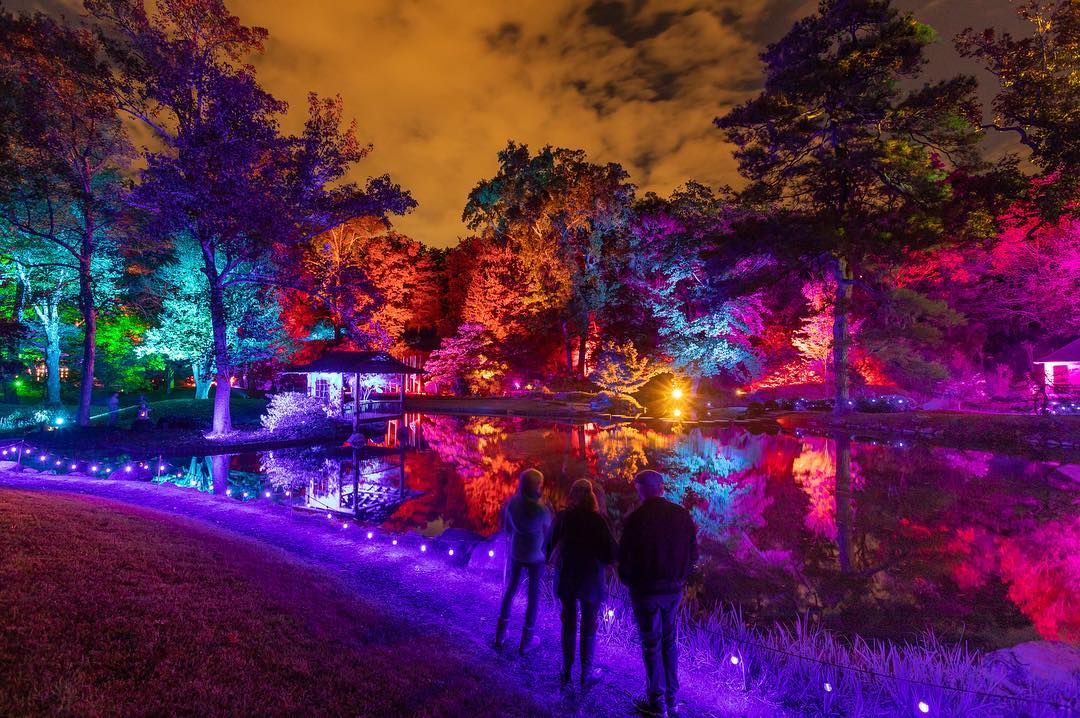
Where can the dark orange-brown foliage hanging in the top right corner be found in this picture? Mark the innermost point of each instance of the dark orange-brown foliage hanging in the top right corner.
(1039, 98)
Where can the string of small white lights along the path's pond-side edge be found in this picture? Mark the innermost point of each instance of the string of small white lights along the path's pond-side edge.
(21, 453)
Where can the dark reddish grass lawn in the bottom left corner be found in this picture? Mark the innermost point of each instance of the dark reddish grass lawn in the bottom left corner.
(114, 611)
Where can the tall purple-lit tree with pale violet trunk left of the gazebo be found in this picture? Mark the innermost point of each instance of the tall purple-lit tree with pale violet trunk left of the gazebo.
(223, 174)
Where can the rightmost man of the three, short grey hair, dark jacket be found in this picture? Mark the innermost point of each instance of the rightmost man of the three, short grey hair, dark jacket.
(658, 550)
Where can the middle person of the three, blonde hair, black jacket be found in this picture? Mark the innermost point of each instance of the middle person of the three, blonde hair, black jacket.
(583, 548)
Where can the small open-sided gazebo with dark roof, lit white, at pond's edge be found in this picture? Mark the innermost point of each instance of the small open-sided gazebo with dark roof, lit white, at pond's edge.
(341, 376)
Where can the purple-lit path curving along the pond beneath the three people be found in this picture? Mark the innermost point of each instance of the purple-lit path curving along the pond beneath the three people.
(410, 594)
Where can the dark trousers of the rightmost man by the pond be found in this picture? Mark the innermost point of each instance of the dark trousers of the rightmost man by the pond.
(656, 617)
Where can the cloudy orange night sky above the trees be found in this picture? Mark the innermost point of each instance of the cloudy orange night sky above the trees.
(440, 86)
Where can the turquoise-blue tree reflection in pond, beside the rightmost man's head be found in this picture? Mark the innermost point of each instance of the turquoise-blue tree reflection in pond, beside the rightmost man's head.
(712, 478)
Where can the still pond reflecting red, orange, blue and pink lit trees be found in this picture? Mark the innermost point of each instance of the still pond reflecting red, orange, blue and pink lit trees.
(971, 546)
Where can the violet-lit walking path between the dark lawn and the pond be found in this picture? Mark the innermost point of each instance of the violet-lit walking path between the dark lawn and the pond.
(454, 604)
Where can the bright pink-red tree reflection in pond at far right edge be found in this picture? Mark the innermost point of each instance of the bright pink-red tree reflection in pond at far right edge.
(1043, 570)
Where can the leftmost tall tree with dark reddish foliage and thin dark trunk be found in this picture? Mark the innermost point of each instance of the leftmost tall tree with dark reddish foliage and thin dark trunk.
(71, 148)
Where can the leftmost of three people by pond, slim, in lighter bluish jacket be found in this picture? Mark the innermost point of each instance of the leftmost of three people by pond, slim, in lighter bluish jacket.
(526, 519)
